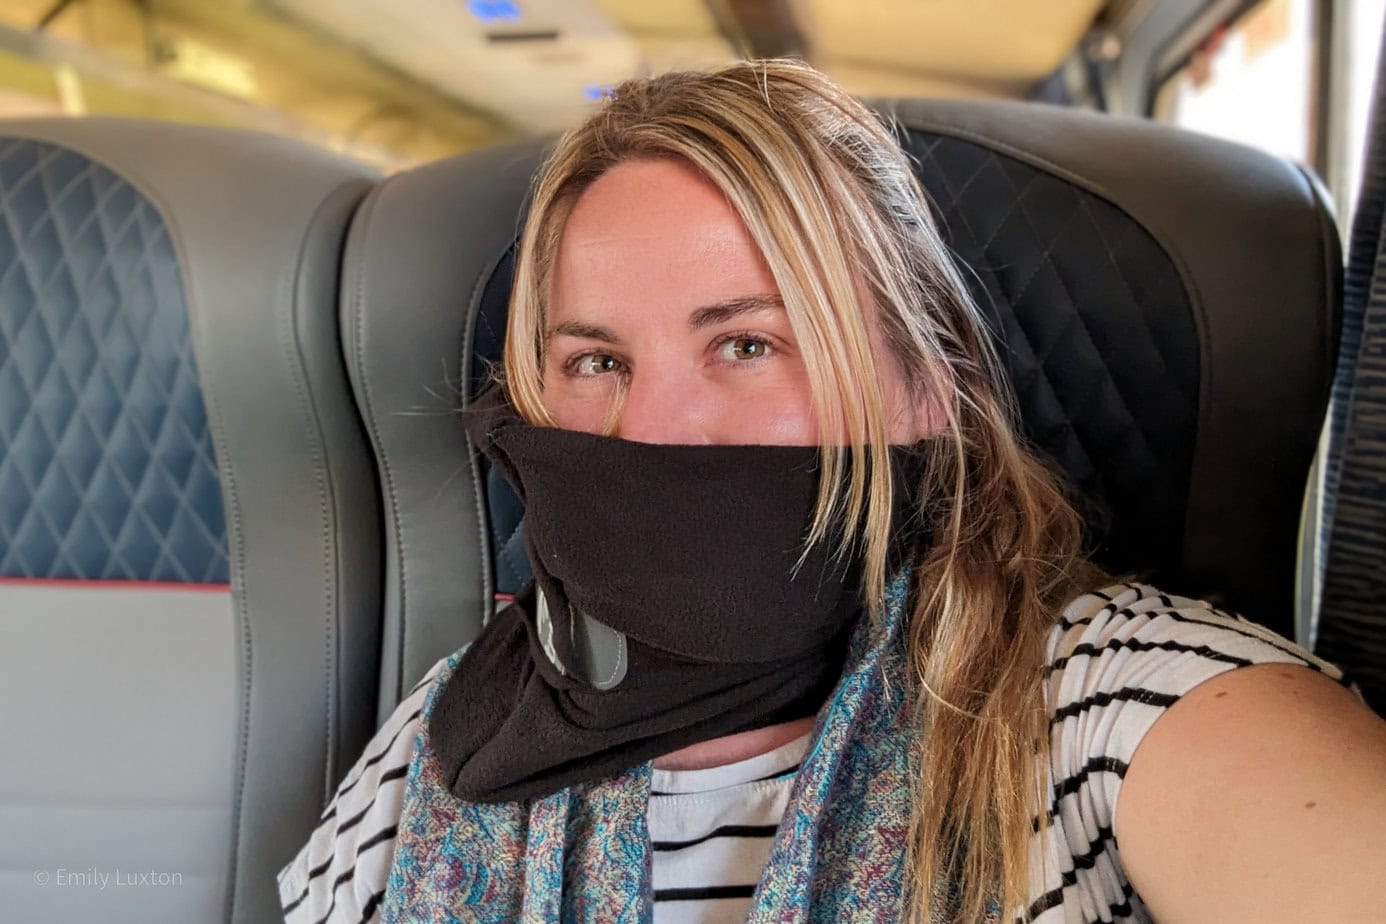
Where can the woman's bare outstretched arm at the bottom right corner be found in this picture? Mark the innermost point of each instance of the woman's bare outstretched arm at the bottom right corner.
(1259, 797)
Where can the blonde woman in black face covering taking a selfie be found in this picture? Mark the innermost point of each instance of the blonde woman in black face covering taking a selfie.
(789, 549)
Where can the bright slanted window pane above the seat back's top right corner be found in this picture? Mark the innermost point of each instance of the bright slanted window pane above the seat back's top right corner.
(1251, 81)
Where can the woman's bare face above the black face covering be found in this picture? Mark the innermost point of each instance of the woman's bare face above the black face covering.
(659, 289)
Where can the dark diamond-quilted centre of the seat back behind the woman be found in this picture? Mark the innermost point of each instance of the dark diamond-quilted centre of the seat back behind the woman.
(1094, 325)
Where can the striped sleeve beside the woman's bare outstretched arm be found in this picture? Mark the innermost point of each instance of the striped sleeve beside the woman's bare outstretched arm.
(1118, 660)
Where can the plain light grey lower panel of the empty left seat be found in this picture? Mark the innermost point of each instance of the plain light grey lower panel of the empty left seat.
(117, 796)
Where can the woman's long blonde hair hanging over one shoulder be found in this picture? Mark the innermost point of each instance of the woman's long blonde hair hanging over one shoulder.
(832, 203)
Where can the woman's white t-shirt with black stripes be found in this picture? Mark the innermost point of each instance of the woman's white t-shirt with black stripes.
(1118, 659)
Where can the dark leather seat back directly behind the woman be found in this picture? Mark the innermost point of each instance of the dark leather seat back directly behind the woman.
(1183, 390)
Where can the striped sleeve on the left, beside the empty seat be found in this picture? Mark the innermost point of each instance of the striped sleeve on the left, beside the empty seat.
(340, 876)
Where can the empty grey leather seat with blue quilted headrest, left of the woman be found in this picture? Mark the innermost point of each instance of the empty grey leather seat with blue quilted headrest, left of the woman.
(188, 727)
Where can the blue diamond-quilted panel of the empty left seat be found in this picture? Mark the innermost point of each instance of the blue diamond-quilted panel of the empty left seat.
(107, 469)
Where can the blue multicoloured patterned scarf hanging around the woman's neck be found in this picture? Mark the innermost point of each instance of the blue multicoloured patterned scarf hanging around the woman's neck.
(584, 854)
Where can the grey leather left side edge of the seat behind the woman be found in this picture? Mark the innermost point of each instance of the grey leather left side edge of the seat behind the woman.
(421, 253)
